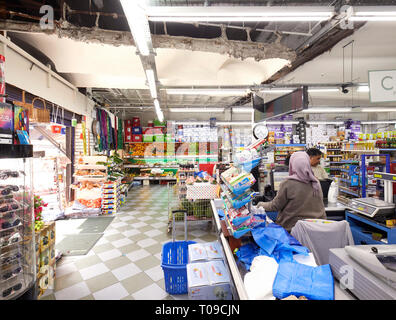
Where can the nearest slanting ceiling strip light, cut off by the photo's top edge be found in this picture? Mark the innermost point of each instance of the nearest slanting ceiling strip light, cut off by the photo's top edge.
(138, 24)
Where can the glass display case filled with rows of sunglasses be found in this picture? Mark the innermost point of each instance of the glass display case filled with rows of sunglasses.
(17, 252)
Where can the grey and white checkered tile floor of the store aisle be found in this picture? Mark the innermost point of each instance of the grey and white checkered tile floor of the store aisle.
(125, 264)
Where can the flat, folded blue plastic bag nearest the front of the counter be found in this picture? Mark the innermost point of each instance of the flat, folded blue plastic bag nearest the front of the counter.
(314, 283)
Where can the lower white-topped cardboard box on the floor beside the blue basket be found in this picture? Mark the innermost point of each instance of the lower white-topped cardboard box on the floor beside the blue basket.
(208, 281)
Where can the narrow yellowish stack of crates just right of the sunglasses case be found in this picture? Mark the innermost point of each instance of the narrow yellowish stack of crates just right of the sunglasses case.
(45, 258)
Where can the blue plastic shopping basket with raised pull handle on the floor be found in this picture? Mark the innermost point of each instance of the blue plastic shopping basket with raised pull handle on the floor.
(175, 259)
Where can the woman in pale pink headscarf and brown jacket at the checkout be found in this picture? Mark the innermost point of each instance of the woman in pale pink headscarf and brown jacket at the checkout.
(299, 196)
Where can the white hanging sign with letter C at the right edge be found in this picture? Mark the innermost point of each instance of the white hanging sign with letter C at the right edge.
(382, 86)
